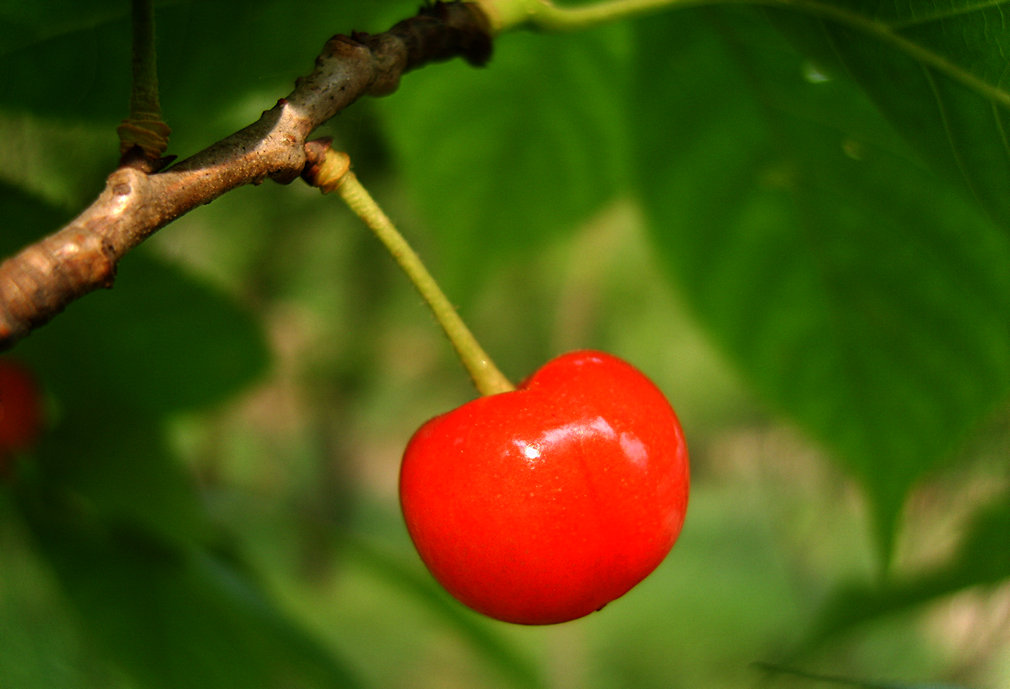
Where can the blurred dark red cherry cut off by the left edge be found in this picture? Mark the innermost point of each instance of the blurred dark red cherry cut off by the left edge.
(21, 412)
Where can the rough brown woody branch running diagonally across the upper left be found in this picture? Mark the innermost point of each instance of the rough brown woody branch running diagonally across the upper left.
(43, 279)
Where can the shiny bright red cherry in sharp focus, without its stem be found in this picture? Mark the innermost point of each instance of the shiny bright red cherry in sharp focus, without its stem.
(544, 505)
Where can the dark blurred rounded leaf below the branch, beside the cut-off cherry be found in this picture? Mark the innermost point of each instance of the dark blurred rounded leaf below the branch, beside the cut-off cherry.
(160, 340)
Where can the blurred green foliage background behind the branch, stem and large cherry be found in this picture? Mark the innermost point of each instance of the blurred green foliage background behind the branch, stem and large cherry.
(795, 222)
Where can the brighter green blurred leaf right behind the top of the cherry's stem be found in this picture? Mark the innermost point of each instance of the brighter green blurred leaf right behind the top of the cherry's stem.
(510, 157)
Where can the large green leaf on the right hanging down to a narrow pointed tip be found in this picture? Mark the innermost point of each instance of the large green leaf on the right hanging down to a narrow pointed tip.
(859, 294)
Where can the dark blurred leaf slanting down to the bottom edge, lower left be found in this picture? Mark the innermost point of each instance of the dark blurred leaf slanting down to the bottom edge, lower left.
(174, 617)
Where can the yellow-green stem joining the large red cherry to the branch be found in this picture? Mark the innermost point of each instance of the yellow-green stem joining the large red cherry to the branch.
(335, 174)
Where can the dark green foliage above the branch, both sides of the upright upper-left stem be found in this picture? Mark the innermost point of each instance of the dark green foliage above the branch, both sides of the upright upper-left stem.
(220, 65)
